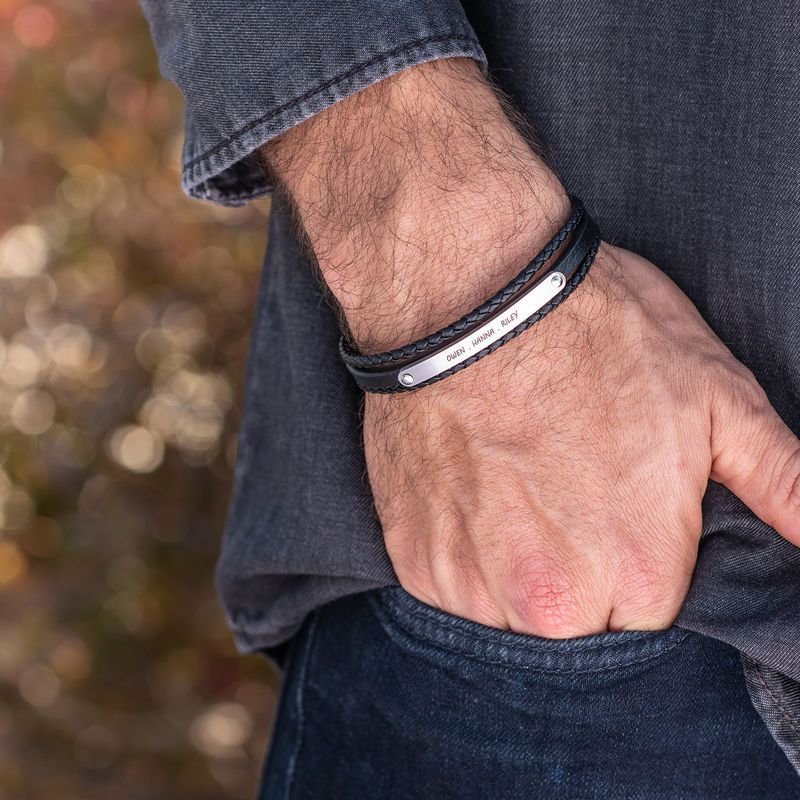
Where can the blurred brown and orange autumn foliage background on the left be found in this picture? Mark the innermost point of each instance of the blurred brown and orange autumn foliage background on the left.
(124, 315)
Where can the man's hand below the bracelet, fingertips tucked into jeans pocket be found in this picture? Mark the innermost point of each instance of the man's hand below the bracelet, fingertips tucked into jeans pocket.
(554, 488)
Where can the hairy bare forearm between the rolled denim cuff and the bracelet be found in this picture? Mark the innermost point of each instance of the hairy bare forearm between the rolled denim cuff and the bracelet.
(419, 197)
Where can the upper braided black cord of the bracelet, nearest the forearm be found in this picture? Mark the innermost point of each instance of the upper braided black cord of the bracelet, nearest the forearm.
(486, 309)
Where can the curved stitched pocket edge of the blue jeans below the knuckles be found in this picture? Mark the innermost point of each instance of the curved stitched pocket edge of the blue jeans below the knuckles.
(405, 616)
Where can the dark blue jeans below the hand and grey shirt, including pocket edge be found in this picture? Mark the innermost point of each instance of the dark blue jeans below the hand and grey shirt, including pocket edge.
(386, 697)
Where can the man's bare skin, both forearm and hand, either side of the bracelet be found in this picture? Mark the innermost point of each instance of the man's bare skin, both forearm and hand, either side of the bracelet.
(553, 488)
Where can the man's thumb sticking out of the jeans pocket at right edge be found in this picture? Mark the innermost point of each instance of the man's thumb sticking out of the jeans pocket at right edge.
(758, 458)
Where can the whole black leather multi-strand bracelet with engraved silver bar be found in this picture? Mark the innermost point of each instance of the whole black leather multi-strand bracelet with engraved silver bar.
(535, 292)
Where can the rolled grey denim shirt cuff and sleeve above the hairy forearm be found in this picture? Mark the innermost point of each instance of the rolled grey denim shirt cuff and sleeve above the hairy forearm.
(251, 70)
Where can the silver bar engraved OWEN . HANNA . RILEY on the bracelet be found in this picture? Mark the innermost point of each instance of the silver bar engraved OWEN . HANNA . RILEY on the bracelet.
(460, 350)
